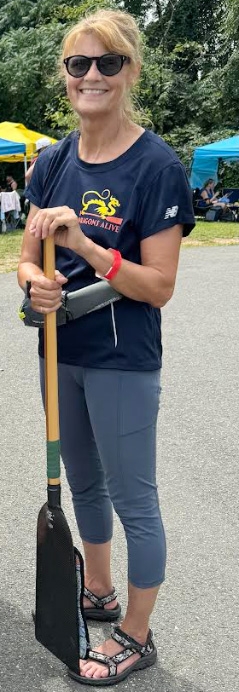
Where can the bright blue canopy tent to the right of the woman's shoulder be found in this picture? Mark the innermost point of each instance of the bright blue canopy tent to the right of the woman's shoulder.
(206, 159)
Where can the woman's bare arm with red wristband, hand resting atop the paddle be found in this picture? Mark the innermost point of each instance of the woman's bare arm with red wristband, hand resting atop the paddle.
(152, 282)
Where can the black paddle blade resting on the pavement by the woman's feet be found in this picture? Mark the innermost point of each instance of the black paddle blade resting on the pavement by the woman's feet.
(56, 624)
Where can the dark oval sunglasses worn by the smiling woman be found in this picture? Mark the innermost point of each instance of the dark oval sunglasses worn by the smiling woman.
(108, 64)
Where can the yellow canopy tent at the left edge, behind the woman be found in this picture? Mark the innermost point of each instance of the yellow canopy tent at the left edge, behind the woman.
(16, 132)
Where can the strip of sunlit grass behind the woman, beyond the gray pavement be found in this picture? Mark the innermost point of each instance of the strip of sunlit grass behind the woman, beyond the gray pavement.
(204, 233)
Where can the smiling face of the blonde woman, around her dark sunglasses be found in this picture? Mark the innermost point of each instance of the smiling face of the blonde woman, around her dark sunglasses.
(94, 94)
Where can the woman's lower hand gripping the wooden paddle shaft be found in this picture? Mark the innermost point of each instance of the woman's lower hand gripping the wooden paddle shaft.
(45, 293)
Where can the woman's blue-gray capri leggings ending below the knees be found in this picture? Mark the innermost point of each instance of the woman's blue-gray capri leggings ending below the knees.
(108, 445)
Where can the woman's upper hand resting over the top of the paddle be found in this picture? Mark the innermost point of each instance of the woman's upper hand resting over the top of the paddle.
(61, 222)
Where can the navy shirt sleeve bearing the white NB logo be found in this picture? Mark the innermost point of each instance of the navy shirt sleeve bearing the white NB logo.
(166, 201)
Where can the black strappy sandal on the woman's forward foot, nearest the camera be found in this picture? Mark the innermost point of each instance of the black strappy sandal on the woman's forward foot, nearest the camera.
(148, 656)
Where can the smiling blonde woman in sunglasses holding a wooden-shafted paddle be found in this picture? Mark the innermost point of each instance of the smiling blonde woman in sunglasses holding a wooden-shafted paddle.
(115, 187)
